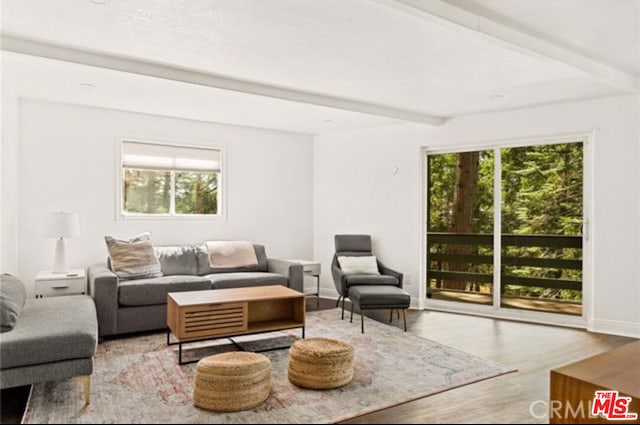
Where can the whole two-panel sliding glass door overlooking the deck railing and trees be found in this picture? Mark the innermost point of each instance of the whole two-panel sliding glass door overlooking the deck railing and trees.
(504, 227)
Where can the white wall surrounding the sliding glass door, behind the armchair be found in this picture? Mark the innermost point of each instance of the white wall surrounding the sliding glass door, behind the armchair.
(356, 190)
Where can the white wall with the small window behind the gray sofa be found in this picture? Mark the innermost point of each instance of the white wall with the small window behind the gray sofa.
(66, 160)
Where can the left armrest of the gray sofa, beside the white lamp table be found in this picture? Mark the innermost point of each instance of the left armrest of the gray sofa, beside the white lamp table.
(103, 287)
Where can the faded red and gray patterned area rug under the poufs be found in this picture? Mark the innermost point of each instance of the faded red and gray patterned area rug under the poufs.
(138, 380)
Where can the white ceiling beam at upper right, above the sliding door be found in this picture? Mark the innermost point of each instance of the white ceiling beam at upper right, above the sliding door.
(519, 38)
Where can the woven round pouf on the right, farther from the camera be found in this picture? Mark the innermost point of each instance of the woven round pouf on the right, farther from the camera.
(320, 363)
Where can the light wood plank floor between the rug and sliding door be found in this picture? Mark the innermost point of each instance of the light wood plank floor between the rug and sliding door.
(532, 349)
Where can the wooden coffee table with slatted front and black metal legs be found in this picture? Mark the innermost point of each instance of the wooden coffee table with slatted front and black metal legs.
(223, 313)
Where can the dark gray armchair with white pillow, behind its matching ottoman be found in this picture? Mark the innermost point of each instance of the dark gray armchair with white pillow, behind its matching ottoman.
(358, 246)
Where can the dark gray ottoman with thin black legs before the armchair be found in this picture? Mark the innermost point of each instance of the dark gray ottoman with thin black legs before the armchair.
(369, 297)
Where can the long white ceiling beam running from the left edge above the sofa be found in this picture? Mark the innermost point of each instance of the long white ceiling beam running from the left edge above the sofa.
(155, 69)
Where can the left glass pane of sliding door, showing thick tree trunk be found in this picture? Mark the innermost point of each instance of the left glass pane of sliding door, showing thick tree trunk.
(460, 226)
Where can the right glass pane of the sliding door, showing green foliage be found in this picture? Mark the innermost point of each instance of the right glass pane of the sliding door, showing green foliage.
(542, 216)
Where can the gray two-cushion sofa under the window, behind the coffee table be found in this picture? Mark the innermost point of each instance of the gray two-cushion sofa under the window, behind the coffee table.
(125, 306)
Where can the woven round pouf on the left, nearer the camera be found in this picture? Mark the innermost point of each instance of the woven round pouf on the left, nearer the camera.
(234, 381)
